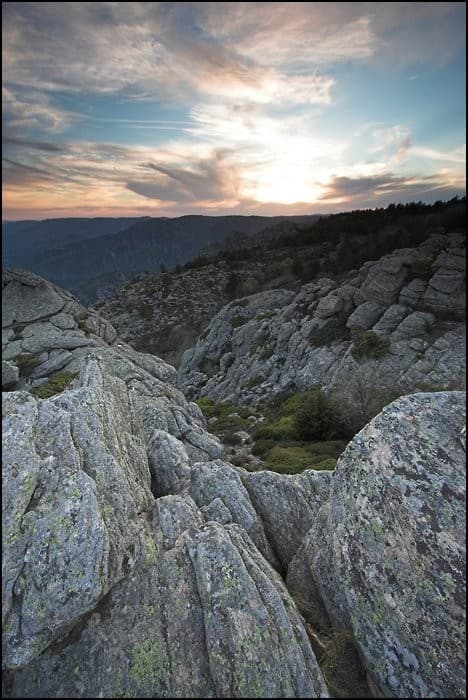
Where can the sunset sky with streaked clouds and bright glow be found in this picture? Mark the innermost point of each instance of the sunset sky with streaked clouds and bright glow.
(166, 109)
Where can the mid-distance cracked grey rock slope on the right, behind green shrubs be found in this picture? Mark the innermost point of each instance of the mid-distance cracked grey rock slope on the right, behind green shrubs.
(279, 341)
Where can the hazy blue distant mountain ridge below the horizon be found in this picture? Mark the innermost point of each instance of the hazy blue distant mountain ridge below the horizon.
(93, 257)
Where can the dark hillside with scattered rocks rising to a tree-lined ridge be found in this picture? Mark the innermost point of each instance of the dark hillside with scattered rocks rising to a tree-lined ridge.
(165, 313)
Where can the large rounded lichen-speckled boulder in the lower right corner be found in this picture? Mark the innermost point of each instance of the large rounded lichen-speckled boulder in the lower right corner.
(386, 554)
